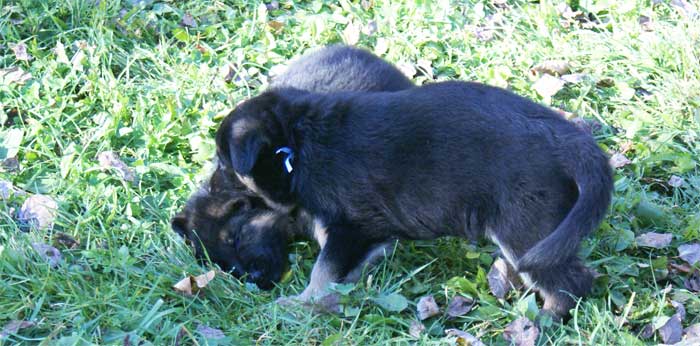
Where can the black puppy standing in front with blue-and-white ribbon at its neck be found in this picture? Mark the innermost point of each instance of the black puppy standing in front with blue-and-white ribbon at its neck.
(453, 158)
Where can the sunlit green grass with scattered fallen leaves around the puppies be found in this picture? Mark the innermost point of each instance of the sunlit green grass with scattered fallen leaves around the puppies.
(143, 80)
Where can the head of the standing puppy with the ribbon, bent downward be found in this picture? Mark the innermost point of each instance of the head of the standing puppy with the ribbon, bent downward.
(248, 140)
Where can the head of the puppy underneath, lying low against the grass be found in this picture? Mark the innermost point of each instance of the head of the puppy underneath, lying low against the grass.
(237, 232)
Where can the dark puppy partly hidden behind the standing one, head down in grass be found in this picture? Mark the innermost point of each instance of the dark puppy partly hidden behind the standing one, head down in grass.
(233, 227)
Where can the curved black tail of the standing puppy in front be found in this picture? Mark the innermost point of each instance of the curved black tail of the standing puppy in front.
(586, 163)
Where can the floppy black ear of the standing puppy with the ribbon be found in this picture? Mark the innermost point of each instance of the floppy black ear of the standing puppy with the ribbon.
(239, 142)
